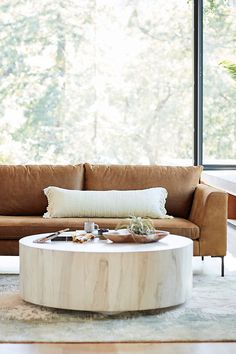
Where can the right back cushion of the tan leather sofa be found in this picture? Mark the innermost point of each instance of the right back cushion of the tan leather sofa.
(180, 182)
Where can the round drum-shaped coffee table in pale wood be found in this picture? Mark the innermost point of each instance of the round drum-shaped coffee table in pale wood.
(106, 277)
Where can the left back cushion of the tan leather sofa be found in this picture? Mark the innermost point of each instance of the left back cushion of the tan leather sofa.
(21, 186)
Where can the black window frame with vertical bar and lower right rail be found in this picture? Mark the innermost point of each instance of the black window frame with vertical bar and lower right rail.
(198, 90)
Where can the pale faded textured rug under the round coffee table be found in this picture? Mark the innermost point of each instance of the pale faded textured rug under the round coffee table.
(210, 315)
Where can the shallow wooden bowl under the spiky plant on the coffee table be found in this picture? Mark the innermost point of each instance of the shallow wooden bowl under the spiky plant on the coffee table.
(125, 236)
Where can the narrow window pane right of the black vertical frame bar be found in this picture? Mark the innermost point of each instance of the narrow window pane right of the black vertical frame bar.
(219, 82)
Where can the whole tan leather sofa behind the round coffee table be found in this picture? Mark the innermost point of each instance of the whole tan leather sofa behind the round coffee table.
(200, 211)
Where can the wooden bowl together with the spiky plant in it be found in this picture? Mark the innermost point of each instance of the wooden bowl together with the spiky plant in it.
(137, 229)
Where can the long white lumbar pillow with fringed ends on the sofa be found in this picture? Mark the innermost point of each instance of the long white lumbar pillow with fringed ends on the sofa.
(75, 203)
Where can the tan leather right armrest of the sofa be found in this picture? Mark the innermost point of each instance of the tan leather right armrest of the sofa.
(209, 212)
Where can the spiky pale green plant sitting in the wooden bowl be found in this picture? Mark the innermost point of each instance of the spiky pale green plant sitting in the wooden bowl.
(138, 225)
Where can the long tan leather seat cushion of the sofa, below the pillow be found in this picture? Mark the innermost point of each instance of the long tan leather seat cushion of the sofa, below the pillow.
(15, 227)
